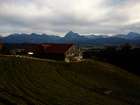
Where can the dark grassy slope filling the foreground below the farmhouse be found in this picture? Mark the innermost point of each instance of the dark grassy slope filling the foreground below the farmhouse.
(34, 82)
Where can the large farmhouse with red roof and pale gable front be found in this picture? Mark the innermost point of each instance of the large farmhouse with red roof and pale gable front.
(66, 52)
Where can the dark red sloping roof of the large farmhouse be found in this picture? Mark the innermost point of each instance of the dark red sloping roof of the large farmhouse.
(56, 48)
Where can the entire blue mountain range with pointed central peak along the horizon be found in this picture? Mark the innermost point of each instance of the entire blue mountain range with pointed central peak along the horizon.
(72, 37)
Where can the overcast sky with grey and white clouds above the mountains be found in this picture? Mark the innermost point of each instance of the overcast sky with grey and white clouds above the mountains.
(61, 16)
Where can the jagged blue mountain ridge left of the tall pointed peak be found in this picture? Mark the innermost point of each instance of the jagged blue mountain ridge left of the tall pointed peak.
(31, 38)
